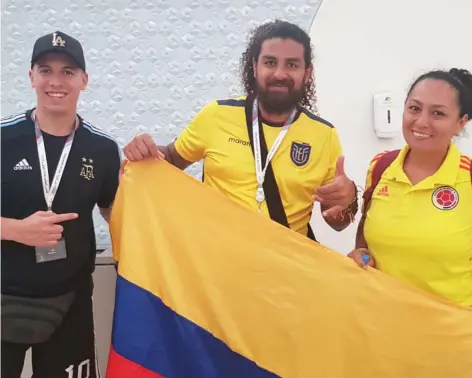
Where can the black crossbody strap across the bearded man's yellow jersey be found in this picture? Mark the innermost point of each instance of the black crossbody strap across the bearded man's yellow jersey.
(271, 189)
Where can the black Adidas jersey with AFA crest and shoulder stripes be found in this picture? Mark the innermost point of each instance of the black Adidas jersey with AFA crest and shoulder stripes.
(90, 178)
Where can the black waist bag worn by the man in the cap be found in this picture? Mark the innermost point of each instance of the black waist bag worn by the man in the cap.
(33, 320)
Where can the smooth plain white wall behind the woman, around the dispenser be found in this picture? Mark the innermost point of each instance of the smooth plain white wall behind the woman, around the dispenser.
(366, 46)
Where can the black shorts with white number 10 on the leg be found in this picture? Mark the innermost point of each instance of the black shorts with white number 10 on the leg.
(69, 353)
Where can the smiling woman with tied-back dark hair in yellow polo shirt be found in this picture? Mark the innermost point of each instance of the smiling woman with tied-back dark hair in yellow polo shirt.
(417, 224)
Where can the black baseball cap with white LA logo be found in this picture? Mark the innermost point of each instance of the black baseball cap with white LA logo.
(59, 42)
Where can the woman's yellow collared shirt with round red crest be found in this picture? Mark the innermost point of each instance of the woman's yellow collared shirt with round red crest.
(422, 234)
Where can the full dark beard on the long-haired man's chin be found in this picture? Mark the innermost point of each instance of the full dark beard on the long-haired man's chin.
(279, 102)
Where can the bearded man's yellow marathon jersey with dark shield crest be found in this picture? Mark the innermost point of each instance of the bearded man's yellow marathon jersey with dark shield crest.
(305, 160)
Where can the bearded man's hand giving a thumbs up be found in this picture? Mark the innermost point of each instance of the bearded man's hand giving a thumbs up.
(338, 195)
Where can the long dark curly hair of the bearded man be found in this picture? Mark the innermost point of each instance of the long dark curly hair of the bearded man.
(277, 29)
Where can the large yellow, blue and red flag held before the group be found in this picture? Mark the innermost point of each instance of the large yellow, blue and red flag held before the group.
(209, 289)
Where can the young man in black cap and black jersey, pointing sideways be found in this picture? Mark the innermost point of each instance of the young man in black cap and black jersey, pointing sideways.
(55, 168)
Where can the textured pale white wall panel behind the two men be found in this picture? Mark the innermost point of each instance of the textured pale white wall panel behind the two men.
(152, 63)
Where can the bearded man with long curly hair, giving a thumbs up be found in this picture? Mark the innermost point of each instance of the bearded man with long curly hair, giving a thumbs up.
(267, 150)
